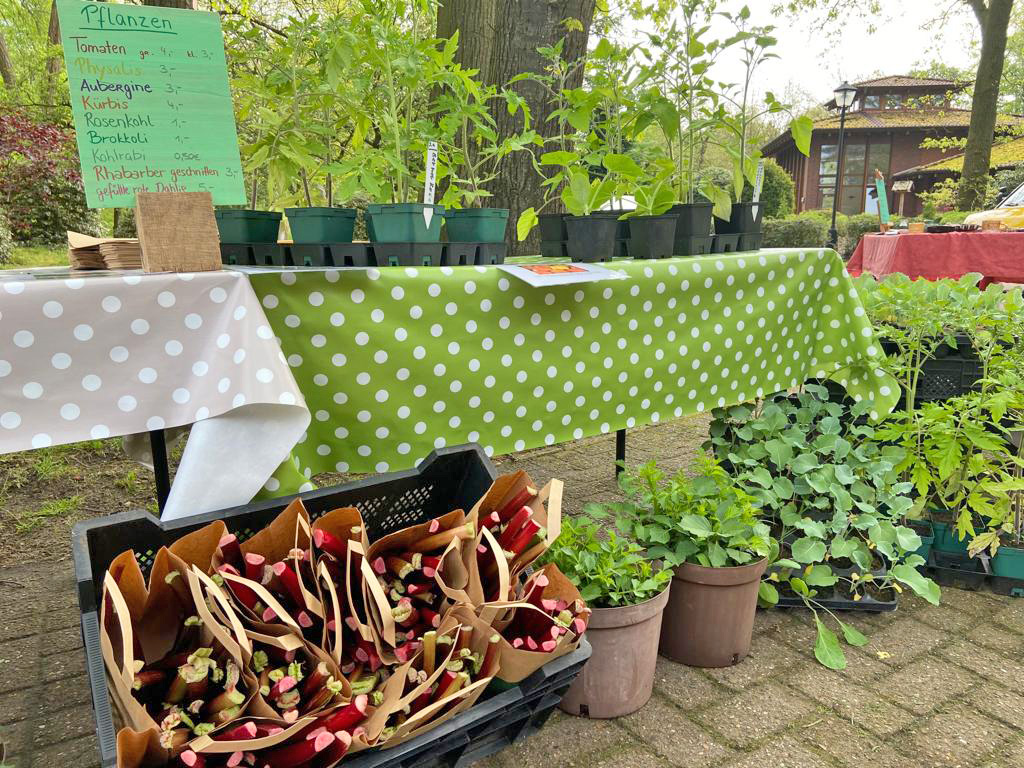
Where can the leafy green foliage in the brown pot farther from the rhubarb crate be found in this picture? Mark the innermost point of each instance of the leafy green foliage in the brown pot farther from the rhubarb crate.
(706, 520)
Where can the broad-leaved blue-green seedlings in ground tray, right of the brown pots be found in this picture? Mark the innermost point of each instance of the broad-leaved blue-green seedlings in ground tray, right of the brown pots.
(832, 493)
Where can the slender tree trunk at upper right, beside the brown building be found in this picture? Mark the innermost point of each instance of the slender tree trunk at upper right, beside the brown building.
(994, 20)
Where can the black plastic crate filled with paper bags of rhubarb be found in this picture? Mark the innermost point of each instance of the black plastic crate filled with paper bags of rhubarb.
(449, 479)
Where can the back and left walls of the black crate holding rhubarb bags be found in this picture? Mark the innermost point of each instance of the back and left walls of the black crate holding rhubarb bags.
(449, 479)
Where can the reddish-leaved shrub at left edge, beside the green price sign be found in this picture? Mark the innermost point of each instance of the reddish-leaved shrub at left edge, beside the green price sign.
(40, 182)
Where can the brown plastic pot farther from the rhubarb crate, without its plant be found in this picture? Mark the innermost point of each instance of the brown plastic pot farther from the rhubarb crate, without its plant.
(710, 617)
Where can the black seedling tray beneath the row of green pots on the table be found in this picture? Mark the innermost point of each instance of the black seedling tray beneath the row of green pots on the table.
(363, 254)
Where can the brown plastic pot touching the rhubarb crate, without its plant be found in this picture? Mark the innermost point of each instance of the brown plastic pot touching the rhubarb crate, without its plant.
(620, 675)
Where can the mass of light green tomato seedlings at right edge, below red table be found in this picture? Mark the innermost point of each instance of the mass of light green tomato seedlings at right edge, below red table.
(958, 453)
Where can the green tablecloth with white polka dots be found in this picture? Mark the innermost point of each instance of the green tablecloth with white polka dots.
(397, 362)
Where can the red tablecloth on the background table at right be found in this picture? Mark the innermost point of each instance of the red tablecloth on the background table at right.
(999, 257)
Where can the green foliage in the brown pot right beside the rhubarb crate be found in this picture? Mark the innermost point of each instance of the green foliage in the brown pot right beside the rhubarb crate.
(608, 570)
